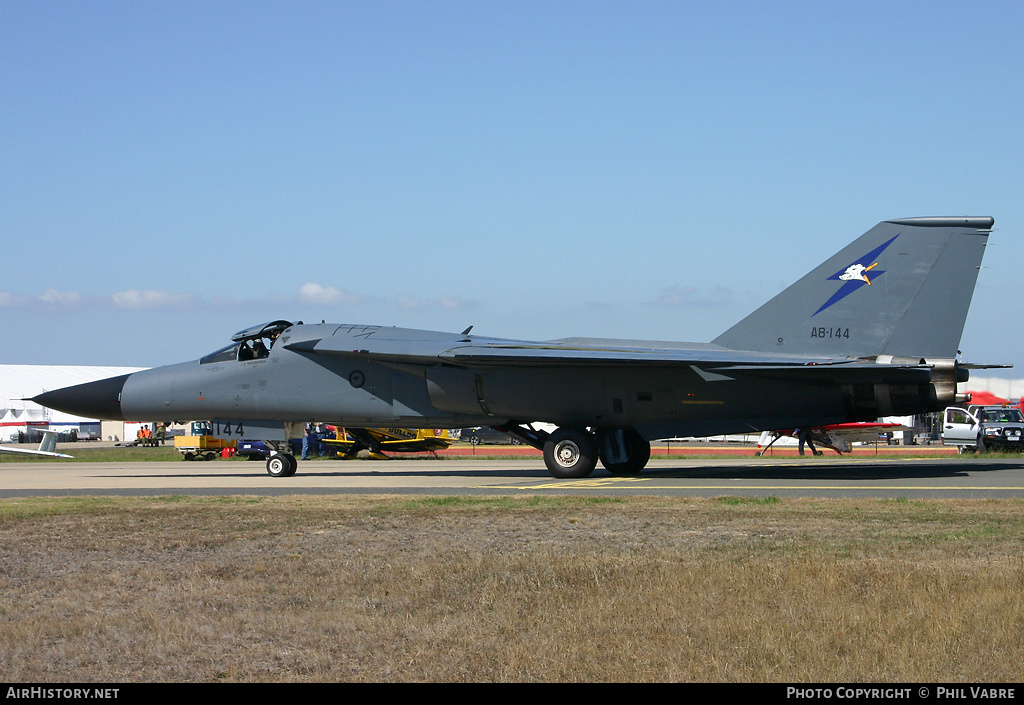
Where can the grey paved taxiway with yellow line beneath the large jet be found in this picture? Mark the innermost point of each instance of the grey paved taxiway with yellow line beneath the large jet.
(824, 477)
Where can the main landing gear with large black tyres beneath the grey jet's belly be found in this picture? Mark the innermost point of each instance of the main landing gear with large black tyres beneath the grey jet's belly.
(574, 452)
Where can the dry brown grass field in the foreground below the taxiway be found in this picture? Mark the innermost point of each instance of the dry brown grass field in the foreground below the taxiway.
(375, 589)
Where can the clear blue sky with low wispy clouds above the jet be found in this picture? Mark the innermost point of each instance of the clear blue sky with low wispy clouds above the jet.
(173, 173)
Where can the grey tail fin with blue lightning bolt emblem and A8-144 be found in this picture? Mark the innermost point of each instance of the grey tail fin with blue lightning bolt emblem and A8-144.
(904, 288)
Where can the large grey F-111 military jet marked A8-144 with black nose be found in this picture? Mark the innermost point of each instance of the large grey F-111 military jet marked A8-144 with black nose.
(874, 331)
